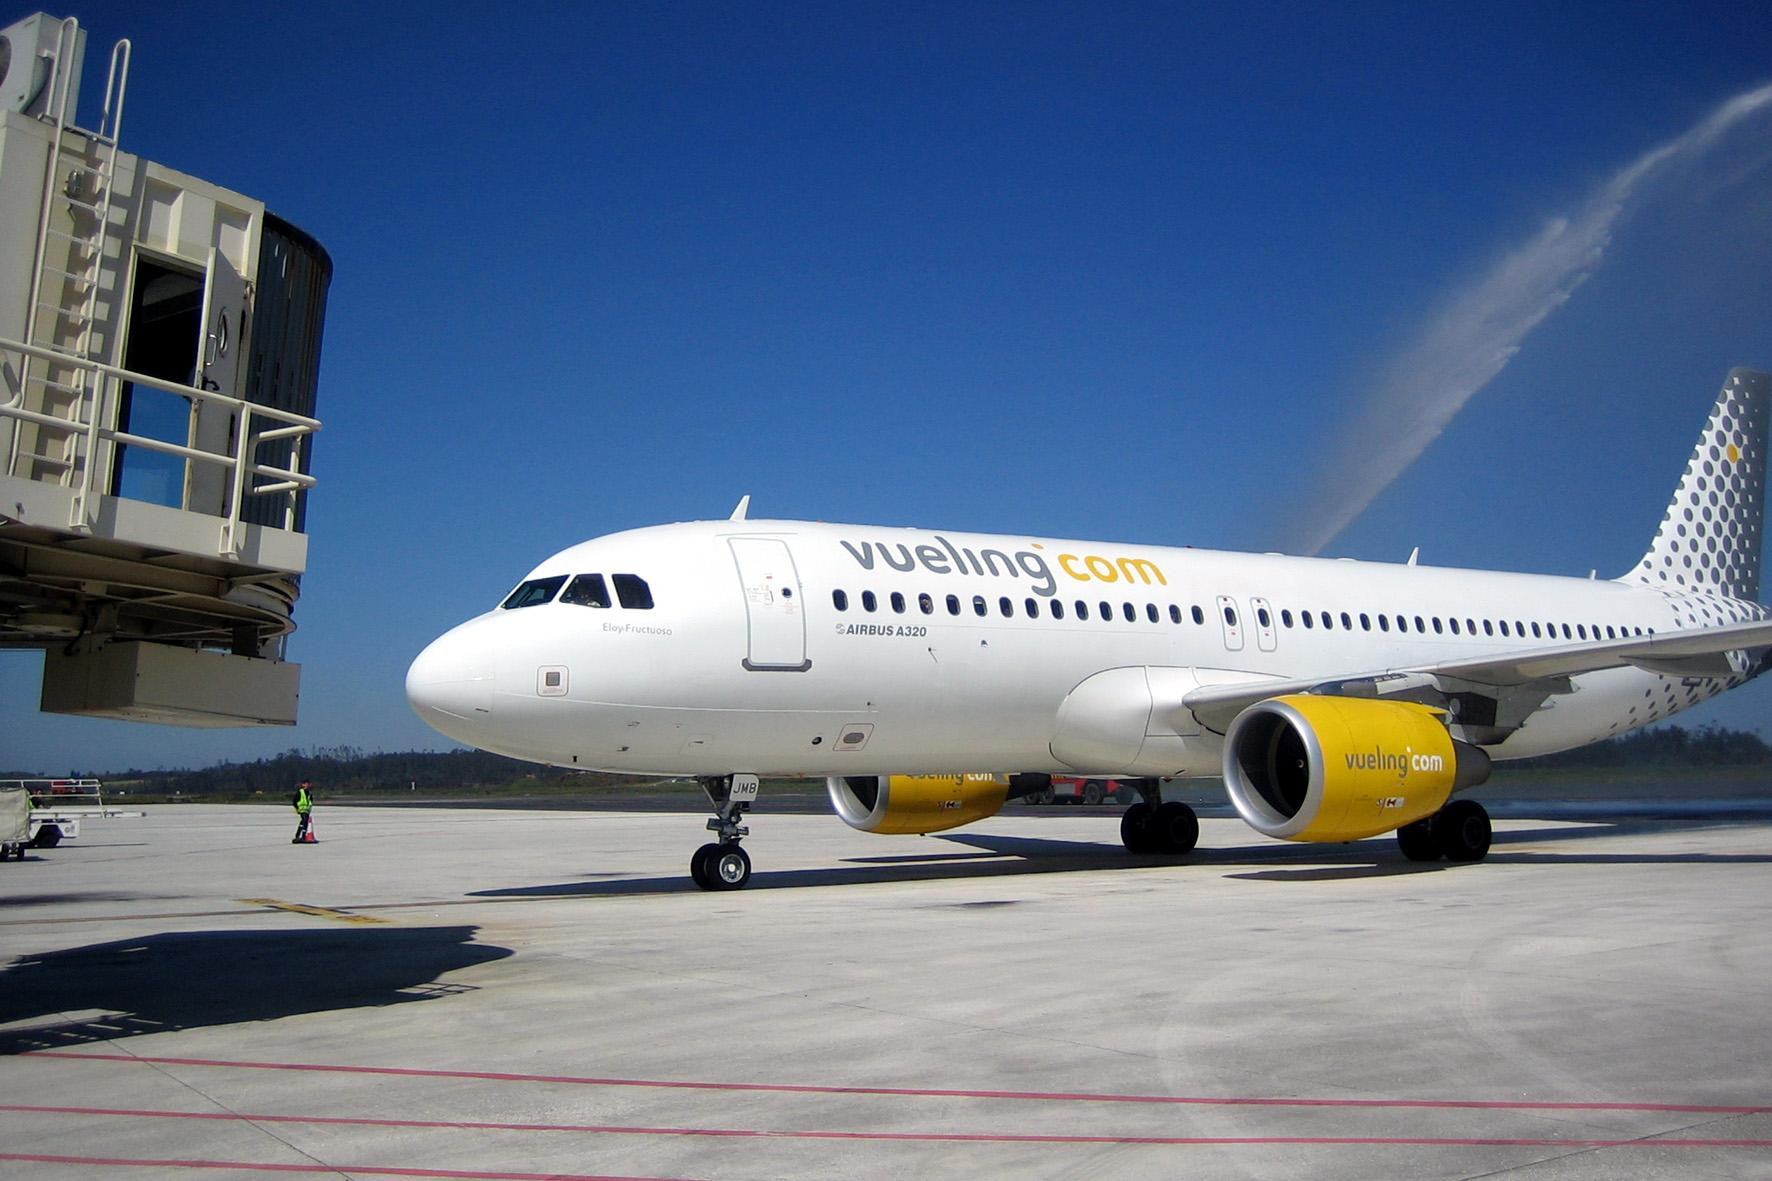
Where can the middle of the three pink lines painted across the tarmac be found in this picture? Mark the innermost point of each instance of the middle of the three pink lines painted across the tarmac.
(926, 1138)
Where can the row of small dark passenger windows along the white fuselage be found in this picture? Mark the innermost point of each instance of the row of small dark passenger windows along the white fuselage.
(1055, 609)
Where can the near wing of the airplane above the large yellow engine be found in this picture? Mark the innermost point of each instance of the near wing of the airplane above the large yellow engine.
(1493, 696)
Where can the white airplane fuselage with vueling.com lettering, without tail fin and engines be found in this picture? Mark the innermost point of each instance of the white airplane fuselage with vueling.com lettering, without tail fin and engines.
(793, 648)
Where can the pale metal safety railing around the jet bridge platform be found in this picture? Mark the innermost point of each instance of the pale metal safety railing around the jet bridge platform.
(254, 426)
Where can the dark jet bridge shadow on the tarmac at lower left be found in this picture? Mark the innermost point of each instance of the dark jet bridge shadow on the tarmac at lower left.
(189, 980)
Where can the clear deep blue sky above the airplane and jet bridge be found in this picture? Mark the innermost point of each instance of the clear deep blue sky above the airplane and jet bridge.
(1089, 270)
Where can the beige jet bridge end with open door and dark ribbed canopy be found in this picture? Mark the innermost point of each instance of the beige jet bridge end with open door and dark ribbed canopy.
(160, 347)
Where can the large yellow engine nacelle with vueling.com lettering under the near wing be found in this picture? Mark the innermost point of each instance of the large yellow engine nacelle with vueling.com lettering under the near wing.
(1342, 769)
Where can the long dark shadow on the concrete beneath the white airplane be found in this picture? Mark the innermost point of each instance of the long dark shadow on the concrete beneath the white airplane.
(1000, 857)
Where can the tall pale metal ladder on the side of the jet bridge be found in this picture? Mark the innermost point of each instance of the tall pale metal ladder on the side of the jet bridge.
(82, 178)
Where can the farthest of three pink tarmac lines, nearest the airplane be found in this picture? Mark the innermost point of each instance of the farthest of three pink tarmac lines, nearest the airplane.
(926, 1093)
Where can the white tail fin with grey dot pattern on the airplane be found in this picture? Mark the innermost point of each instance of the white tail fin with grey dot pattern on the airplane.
(1711, 538)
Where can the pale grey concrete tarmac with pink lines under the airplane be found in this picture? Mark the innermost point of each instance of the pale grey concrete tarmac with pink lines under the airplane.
(490, 994)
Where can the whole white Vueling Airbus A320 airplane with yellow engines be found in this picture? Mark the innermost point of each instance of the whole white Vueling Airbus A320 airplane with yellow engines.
(933, 677)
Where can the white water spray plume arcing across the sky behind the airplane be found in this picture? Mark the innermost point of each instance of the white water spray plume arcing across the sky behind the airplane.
(1481, 329)
